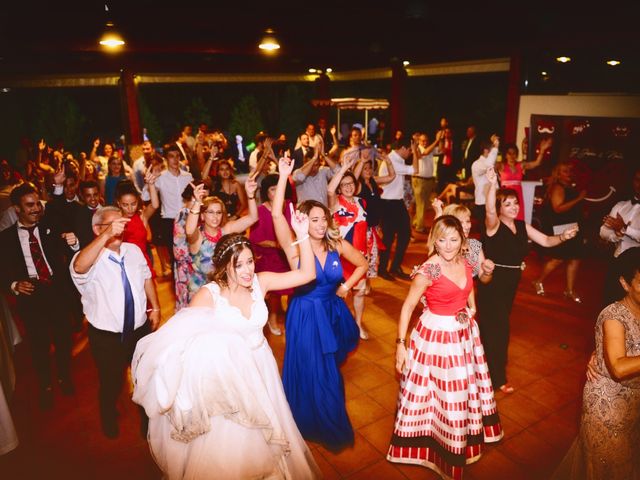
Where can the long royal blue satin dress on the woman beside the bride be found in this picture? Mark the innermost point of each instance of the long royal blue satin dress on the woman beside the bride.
(320, 332)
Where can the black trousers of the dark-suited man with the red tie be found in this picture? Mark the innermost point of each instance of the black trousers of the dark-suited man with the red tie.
(47, 319)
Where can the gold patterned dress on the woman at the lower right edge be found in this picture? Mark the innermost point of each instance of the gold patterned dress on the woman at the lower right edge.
(609, 437)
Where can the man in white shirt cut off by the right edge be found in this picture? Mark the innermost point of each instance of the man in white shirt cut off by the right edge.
(622, 228)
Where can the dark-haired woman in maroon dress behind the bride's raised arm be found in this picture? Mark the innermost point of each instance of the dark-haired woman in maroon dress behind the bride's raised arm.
(269, 255)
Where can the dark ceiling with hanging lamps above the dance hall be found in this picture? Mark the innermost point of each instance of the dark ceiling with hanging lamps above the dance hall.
(222, 36)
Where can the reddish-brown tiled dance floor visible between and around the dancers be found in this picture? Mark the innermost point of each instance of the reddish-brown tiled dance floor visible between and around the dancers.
(551, 340)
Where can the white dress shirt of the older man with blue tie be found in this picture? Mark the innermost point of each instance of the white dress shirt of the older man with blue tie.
(103, 292)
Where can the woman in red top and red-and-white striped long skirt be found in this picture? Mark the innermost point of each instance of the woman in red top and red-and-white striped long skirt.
(446, 408)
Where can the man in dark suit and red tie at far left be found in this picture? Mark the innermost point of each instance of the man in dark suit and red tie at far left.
(34, 270)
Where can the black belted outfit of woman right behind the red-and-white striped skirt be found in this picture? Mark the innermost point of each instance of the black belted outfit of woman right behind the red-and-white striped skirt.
(495, 299)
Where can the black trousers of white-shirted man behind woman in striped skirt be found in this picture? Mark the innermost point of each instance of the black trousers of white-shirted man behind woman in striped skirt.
(395, 223)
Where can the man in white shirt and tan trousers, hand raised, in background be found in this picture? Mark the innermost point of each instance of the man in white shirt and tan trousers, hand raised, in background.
(424, 180)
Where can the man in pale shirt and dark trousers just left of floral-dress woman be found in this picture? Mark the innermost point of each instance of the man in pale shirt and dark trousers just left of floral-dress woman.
(170, 184)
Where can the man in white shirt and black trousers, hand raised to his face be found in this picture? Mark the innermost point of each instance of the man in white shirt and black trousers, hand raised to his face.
(395, 218)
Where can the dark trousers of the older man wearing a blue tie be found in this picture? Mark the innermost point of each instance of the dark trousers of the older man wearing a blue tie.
(112, 358)
